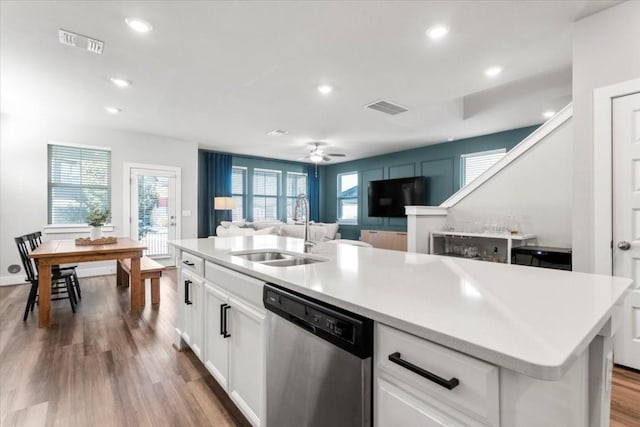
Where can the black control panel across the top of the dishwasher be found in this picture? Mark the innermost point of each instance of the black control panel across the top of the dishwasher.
(344, 329)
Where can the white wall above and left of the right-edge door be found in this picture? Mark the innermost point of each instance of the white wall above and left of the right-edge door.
(606, 51)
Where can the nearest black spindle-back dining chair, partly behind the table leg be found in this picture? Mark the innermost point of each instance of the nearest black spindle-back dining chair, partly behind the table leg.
(61, 281)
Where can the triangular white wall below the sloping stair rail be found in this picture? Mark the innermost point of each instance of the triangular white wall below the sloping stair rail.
(536, 188)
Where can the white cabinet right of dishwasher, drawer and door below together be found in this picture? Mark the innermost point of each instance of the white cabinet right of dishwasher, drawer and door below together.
(420, 383)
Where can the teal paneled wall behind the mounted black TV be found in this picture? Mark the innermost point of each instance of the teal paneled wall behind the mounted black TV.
(440, 163)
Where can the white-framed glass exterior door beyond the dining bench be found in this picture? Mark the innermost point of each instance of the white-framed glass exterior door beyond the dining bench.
(153, 212)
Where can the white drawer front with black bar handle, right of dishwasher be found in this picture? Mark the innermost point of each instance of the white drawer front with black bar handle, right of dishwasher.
(476, 393)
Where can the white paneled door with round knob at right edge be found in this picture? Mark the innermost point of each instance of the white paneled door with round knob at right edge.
(626, 222)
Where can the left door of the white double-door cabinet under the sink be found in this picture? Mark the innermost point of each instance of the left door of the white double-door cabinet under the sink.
(216, 357)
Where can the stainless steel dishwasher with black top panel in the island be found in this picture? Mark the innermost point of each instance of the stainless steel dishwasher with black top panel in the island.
(319, 361)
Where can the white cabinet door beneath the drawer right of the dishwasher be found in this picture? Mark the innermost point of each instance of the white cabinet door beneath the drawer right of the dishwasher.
(397, 407)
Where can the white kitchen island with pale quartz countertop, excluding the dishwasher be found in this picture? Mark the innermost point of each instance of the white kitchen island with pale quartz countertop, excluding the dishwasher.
(536, 342)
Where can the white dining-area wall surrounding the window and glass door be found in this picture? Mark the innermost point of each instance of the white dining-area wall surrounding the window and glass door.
(23, 176)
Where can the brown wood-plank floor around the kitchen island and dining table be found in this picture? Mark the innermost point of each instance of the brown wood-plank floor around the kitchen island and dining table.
(103, 366)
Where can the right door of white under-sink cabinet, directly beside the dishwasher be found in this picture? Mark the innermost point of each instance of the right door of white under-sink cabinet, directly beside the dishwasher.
(247, 326)
